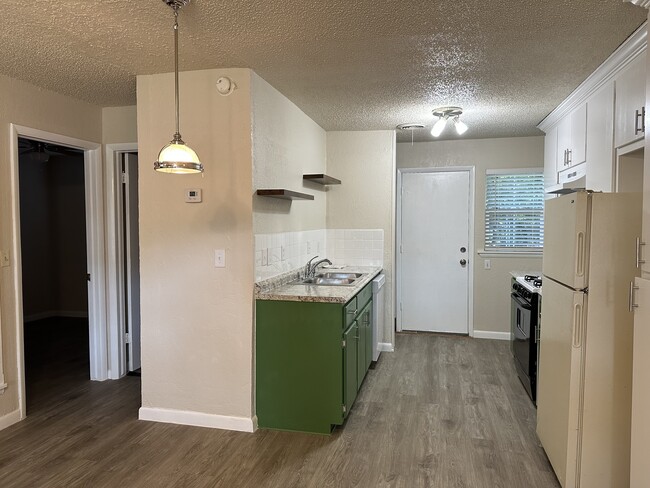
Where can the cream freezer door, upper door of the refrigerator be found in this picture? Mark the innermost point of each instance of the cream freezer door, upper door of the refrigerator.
(566, 239)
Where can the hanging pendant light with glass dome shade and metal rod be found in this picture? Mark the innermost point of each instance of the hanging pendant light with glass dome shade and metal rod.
(177, 157)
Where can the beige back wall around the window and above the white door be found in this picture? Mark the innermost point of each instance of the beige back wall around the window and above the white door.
(491, 287)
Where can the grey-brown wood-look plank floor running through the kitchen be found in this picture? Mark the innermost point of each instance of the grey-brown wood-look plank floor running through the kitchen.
(441, 411)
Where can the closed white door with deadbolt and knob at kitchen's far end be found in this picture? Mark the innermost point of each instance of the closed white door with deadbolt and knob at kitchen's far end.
(434, 250)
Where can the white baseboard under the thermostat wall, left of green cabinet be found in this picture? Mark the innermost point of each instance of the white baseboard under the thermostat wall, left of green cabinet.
(198, 419)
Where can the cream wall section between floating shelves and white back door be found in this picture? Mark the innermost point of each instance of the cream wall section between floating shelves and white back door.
(365, 163)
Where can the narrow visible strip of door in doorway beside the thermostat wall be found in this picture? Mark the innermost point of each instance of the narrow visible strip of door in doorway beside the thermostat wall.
(132, 259)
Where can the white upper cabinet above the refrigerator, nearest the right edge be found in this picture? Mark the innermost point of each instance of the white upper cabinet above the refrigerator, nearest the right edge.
(630, 102)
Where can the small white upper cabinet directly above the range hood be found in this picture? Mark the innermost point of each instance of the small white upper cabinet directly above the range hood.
(572, 138)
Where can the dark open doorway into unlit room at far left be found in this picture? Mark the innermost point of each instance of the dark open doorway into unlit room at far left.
(54, 269)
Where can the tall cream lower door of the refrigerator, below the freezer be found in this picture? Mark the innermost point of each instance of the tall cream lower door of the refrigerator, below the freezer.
(560, 380)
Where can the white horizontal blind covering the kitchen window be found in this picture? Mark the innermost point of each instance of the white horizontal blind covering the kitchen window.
(514, 210)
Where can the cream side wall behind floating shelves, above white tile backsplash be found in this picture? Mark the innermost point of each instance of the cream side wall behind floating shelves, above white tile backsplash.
(286, 145)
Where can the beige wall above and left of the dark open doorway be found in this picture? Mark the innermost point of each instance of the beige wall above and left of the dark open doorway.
(26, 105)
